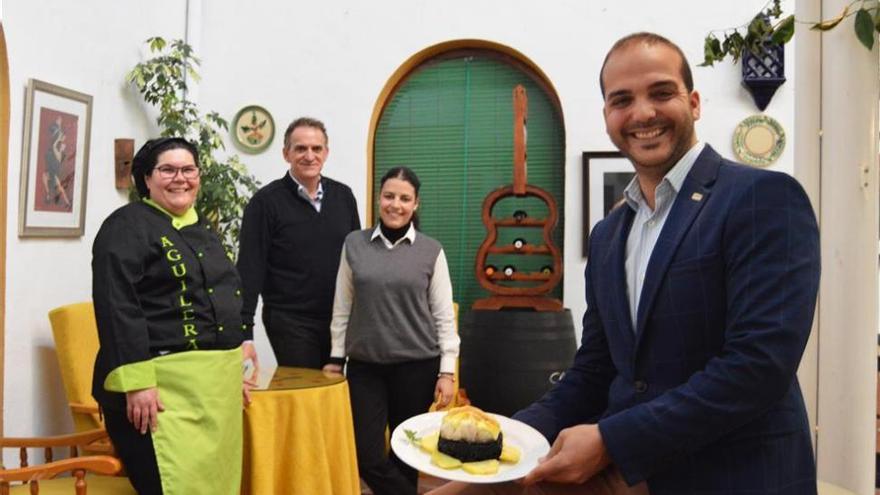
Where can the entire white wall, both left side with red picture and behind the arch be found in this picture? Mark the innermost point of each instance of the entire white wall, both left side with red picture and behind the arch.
(329, 60)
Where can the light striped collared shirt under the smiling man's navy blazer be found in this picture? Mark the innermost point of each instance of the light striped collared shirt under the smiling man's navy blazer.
(648, 224)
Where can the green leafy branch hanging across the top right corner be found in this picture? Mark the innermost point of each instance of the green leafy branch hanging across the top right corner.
(770, 27)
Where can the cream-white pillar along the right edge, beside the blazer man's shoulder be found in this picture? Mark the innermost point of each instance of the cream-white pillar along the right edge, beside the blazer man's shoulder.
(846, 441)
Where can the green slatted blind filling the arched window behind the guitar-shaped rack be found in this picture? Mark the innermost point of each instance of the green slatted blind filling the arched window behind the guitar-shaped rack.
(451, 121)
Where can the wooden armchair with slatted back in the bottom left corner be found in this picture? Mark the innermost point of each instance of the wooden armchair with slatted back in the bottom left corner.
(44, 478)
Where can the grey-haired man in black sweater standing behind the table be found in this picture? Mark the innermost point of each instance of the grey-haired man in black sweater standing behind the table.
(290, 245)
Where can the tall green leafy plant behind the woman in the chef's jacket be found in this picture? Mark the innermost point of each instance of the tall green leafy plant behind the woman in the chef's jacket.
(226, 186)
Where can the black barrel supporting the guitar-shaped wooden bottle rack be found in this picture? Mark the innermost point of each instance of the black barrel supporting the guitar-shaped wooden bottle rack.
(509, 358)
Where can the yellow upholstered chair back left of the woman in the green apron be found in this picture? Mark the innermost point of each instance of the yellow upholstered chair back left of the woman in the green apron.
(76, 345)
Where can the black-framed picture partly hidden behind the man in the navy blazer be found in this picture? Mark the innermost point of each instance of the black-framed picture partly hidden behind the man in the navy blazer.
(606, 175)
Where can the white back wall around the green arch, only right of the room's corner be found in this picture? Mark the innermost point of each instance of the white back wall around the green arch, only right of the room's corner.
(332, 60)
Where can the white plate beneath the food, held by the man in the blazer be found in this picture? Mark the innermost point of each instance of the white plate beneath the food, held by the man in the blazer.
(531, 443)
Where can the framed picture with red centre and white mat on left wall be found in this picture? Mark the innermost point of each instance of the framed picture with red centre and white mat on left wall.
(54, 161)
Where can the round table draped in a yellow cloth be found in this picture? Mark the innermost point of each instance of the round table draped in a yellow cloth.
(300, 440)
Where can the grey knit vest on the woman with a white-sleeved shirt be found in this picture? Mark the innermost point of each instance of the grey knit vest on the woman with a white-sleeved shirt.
(390, 318)
